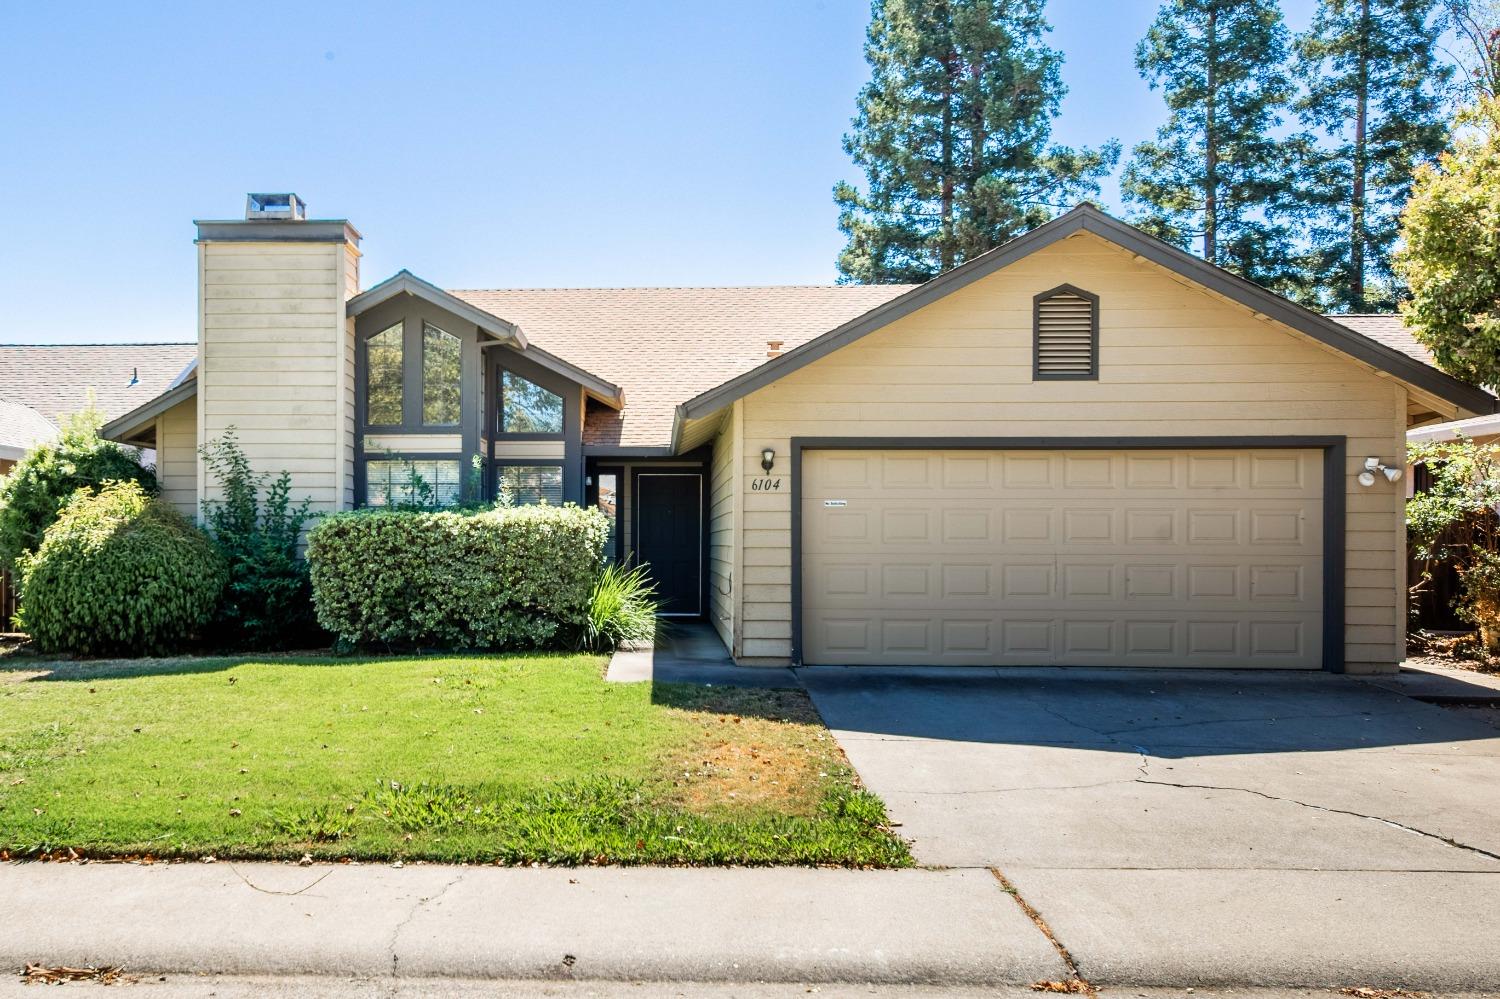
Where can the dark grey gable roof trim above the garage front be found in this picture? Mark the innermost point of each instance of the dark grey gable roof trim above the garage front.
(1090, 220)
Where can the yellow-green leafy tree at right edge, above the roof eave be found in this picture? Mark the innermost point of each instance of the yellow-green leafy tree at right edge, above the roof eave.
(1451, 251)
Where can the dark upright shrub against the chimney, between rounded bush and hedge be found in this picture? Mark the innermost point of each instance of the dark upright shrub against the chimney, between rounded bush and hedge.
(268, 602)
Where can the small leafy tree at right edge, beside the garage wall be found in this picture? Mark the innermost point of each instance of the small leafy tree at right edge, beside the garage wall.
(1456, 521)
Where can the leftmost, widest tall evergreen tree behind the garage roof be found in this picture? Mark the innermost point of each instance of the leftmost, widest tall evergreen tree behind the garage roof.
(953, 134)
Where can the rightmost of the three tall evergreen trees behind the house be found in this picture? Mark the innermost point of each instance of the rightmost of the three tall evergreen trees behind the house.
(1373, 88)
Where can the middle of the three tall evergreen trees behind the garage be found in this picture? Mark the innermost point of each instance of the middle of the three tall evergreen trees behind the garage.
(1217, 178)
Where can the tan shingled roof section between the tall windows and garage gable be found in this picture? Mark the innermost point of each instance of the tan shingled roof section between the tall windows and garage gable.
(664, 346)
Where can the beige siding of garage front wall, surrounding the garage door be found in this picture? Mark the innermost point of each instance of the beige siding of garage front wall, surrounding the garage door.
(1175, 361)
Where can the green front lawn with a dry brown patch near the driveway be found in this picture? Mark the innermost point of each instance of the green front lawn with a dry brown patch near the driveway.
(475, 758)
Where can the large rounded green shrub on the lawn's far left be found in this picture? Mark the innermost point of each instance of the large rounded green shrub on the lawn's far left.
(119, 574)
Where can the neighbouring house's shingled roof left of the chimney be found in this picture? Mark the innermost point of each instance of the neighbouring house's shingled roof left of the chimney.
(55, 380)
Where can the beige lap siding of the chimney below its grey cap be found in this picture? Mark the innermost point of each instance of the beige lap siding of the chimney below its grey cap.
(275, 362)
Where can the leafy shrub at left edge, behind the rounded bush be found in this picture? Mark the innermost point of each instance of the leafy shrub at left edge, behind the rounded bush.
(35, 491)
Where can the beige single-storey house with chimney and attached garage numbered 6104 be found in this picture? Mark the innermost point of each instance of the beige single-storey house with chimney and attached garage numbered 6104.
(1084, 448)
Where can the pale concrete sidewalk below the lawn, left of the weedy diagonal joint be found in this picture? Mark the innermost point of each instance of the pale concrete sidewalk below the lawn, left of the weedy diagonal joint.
(652, 925)
